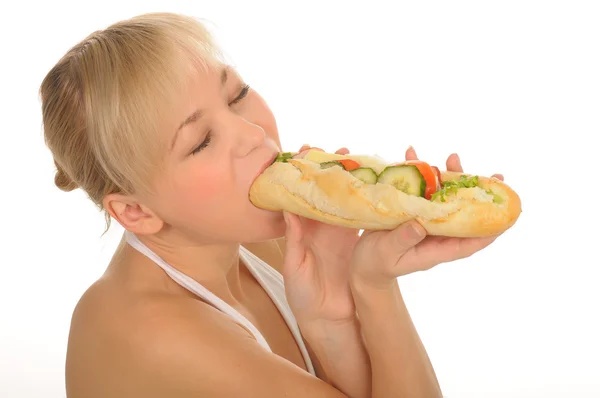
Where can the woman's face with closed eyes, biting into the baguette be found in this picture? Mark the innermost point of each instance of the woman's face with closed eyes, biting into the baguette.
(221, 139)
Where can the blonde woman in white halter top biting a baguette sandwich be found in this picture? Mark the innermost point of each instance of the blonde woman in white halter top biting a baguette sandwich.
(164, 137)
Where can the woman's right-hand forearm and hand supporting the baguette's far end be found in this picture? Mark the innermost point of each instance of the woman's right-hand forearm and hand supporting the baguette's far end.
(399, 362)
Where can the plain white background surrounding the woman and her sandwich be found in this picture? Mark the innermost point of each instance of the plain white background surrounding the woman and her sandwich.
(512, 86)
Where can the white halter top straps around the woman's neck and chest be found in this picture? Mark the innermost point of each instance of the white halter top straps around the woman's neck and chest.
(270, 280)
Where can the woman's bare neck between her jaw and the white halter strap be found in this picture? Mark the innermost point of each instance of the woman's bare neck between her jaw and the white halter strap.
(215, 266)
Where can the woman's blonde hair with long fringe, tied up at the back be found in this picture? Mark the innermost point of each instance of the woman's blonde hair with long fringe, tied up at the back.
(105, 102)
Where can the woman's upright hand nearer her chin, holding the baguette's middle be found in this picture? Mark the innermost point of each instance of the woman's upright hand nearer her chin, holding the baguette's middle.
(316, 267)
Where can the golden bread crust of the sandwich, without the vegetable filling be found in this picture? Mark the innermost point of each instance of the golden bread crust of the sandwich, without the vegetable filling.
(333, 195)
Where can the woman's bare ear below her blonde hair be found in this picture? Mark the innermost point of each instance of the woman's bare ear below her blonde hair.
(132, 215)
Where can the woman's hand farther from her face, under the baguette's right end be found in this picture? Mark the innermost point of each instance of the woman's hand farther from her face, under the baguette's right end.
(381, 256)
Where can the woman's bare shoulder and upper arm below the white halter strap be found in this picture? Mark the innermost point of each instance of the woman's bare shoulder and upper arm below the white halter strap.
(173, 346)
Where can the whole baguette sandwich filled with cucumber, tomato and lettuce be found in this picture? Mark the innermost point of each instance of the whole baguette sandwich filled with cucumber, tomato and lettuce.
(462, 205)
